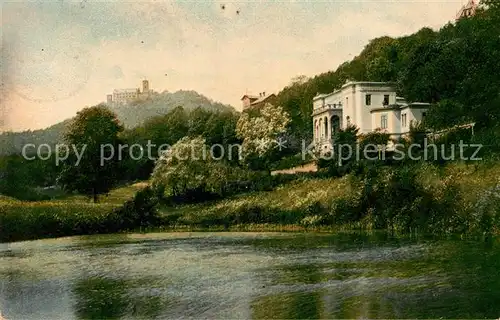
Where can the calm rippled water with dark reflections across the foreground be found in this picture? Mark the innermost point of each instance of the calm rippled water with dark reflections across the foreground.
(250, 276)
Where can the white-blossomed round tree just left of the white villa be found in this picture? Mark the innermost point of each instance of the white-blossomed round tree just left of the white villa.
(260, 133)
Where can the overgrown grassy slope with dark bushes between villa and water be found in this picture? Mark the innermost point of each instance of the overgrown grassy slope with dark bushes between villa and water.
(424, 198)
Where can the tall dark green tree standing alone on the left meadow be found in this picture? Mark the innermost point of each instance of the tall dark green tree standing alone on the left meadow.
(94, 134)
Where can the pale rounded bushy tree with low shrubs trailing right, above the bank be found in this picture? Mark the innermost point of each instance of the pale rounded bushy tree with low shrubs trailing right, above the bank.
(188, 173)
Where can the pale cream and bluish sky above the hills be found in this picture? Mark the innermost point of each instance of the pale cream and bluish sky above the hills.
(60, 56)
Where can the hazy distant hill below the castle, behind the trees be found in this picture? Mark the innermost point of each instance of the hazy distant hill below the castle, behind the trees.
(131, 115)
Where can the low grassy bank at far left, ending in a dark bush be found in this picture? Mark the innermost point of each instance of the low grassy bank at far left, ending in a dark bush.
(20, 220)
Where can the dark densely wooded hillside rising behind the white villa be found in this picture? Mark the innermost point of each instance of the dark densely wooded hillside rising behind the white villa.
(456, 68)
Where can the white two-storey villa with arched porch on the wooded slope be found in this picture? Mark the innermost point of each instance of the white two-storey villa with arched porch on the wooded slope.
(367, 105)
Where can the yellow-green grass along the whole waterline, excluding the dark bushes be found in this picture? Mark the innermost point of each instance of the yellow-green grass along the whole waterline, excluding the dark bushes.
(292, 206)
